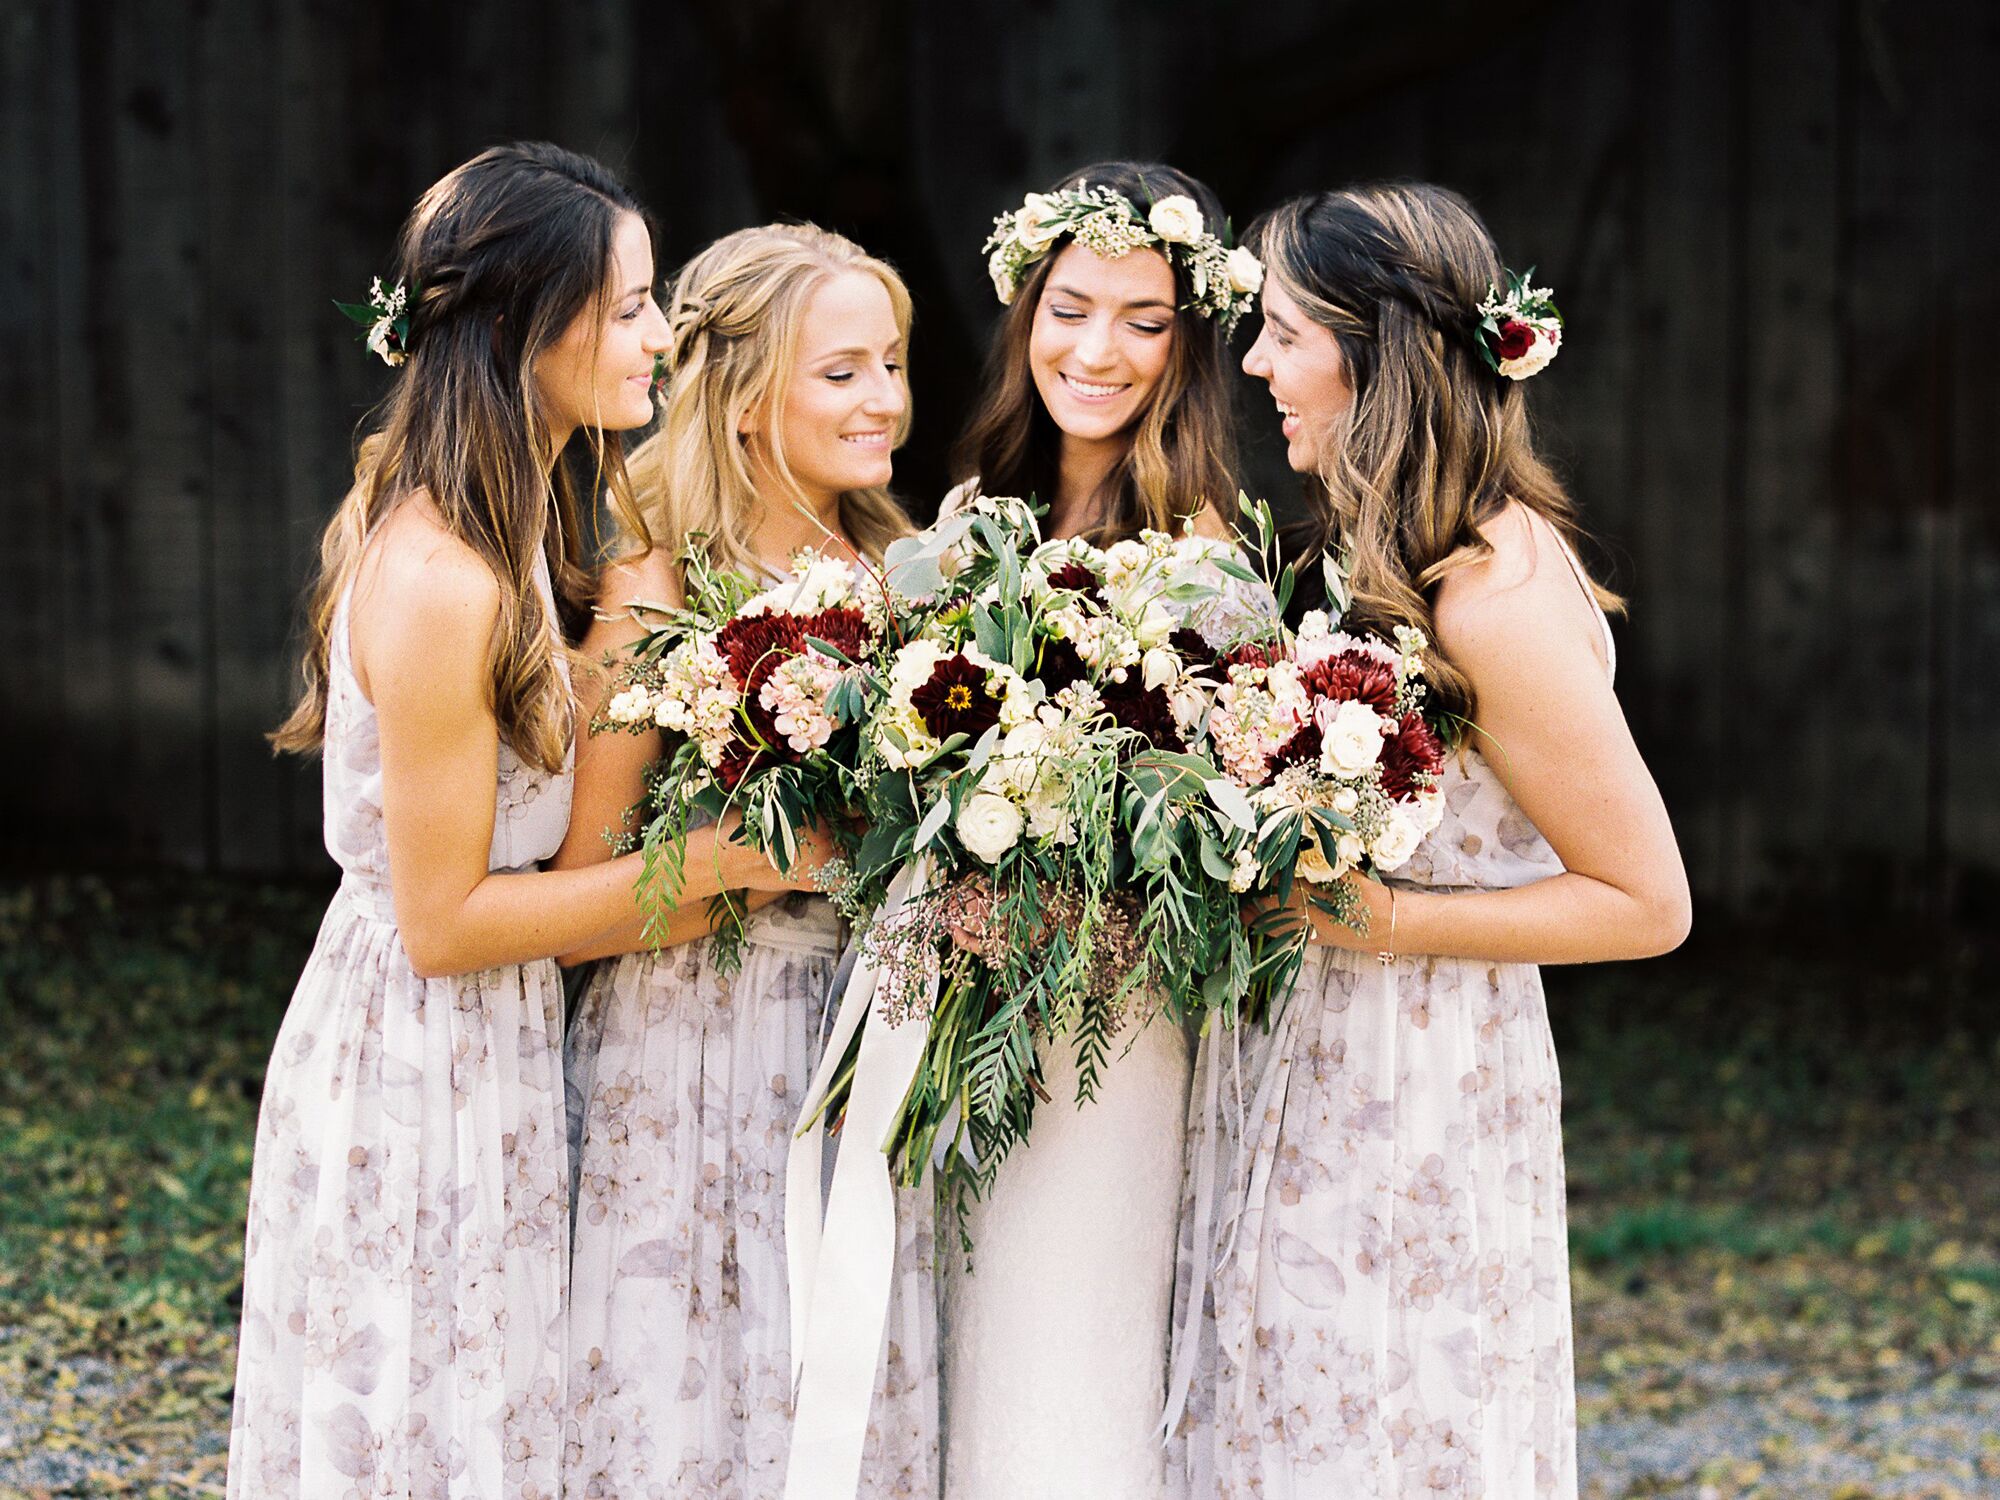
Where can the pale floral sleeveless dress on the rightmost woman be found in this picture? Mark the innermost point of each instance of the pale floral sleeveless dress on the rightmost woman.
(1387, 1303)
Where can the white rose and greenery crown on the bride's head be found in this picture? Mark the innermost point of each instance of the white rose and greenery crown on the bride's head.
(1105, 223)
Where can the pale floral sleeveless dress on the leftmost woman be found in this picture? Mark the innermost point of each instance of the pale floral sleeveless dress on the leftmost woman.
(407, 1253)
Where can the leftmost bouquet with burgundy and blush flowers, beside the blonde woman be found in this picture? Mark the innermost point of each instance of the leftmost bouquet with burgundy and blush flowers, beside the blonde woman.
(759, 697)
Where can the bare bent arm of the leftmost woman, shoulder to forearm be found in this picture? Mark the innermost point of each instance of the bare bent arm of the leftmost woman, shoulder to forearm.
(423, 625)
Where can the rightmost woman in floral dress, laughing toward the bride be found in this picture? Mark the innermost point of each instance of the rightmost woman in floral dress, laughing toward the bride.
(1375, 1297)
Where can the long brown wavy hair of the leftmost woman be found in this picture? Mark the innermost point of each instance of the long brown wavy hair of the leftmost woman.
(503, 253)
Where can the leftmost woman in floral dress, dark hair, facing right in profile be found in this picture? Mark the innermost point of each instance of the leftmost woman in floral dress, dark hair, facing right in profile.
(407, 1251)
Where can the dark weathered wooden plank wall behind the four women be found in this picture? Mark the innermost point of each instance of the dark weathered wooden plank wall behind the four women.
(1773, 229)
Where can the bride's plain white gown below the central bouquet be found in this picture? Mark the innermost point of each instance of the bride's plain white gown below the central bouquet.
(1057, 1331)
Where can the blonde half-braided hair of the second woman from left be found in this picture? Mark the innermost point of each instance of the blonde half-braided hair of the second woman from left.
(737, 313)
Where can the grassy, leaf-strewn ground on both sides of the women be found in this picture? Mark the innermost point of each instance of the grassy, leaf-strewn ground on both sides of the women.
(1785, 1183)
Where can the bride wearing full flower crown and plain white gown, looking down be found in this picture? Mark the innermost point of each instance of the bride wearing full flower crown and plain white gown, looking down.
(1107, 401)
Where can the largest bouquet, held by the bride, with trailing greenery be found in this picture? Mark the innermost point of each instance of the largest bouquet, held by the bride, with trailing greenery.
(1031, 777)
